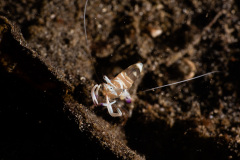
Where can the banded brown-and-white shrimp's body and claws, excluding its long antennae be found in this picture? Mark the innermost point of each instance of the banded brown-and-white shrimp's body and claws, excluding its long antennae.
(117, 88)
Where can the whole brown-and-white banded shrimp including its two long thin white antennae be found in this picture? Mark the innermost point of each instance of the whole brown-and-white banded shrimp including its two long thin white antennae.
(119, 86)
